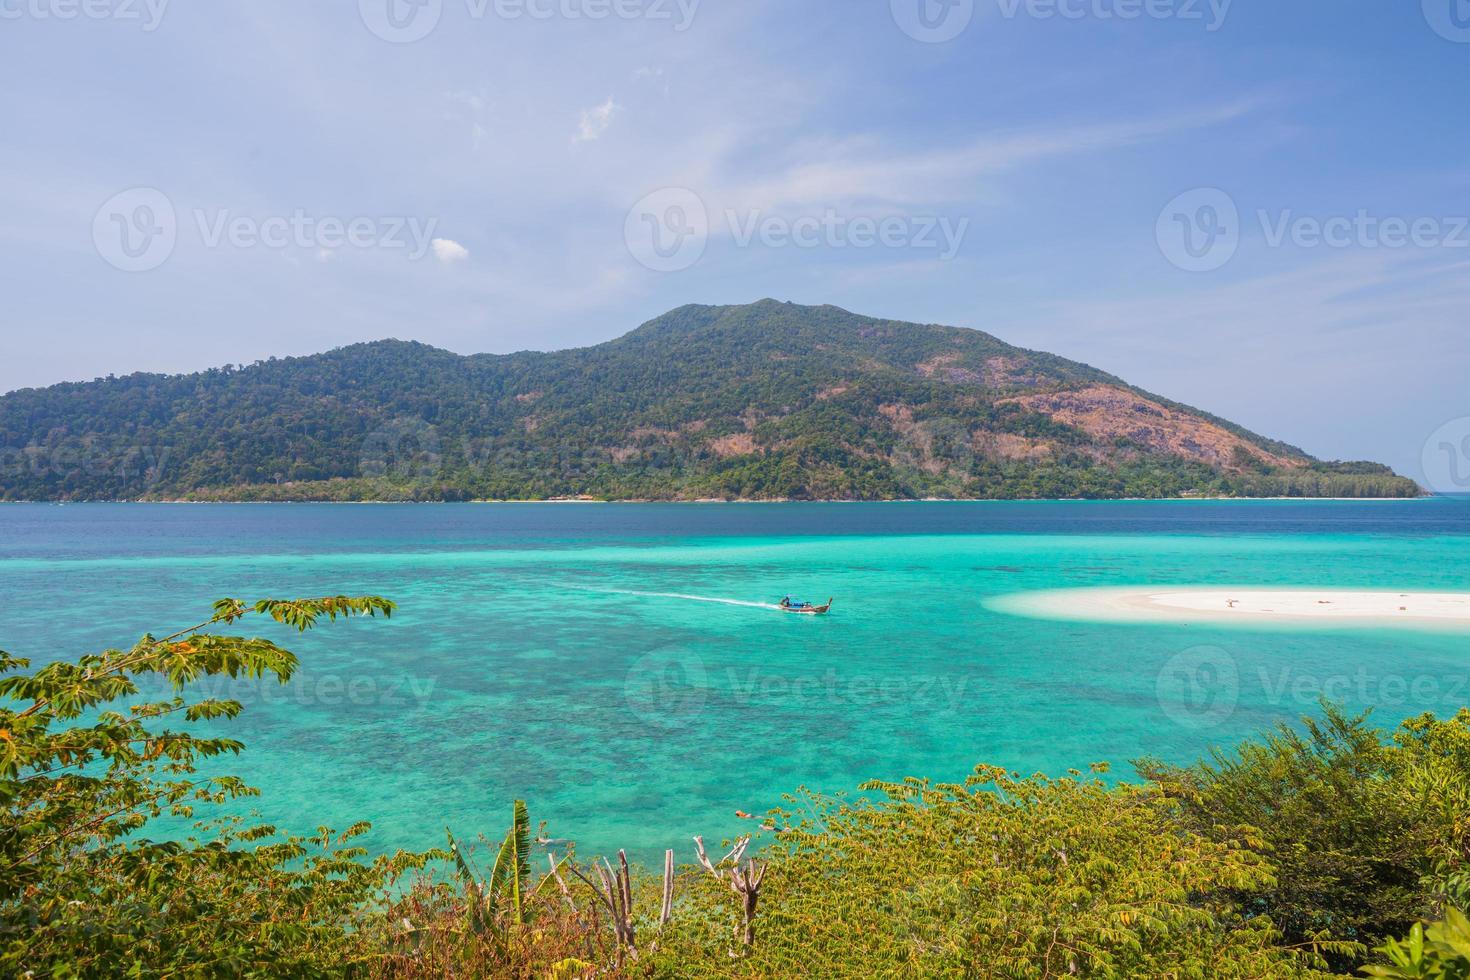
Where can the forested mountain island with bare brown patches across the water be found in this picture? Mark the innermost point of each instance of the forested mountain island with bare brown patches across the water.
(752, 402)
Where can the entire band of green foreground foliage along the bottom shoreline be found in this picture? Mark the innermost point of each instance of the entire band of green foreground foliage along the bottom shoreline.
(1316, 851)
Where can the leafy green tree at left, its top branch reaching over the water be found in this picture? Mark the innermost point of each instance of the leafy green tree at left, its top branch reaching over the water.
(86, 893)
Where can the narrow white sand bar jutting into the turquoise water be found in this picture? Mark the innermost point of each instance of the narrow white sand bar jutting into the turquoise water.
(1246, 606)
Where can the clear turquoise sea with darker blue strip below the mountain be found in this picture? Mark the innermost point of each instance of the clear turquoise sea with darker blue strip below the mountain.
(617, 666)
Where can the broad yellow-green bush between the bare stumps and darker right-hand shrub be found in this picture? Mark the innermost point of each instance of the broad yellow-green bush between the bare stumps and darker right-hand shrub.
(1000, 876)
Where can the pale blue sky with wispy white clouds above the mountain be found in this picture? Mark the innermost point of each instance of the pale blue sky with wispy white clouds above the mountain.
(1252, 206)
